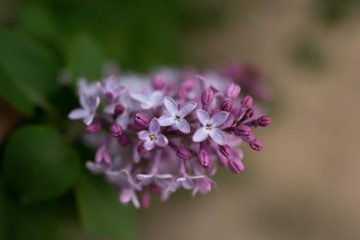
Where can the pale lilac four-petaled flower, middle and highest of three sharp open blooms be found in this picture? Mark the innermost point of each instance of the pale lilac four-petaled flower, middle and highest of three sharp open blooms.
(176, 116)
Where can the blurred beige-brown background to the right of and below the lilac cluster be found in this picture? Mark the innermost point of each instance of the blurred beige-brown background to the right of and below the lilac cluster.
(305, 182)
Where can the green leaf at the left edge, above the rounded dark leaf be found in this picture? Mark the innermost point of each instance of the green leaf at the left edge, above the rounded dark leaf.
(27, 73)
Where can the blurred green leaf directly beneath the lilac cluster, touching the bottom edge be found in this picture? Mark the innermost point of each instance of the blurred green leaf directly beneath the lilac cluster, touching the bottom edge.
(100, 211)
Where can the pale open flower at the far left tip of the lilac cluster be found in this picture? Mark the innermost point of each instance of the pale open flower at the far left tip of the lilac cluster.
(88, 110)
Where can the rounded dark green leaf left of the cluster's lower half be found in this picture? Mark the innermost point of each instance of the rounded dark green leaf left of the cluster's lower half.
(37, 165)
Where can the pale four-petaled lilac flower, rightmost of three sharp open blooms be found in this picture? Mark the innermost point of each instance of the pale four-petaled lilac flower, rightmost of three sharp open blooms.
(210, 127)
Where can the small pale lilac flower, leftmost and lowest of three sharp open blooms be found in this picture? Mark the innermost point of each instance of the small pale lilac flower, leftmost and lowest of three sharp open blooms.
(153, 136)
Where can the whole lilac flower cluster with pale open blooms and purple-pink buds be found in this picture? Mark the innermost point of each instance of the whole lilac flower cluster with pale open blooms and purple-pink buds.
(169, 132)
